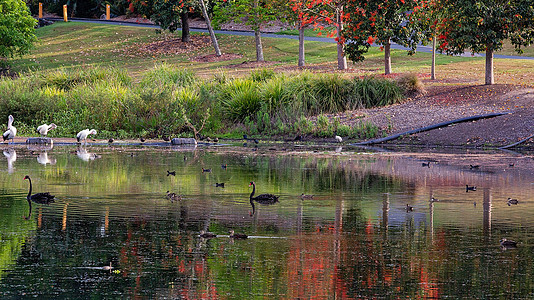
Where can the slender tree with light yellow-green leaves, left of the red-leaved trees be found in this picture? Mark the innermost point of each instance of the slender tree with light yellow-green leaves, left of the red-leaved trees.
(250, 12)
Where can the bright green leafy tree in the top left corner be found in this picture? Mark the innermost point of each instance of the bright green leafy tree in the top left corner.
(17, 28)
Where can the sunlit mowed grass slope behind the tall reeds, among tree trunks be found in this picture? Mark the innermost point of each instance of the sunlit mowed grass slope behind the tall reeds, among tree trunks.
(75, 44)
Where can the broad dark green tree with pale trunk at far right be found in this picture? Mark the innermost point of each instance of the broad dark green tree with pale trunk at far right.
(484, 25)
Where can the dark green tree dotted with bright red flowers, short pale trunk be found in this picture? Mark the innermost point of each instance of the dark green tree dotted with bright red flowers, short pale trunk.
(380, 22)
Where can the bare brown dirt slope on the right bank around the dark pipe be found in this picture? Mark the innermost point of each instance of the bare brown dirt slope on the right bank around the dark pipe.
(447, 103)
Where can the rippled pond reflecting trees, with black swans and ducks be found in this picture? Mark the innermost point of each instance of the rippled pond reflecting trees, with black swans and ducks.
(355, 238)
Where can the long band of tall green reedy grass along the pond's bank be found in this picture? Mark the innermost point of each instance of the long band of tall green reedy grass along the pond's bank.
(172, 102)
